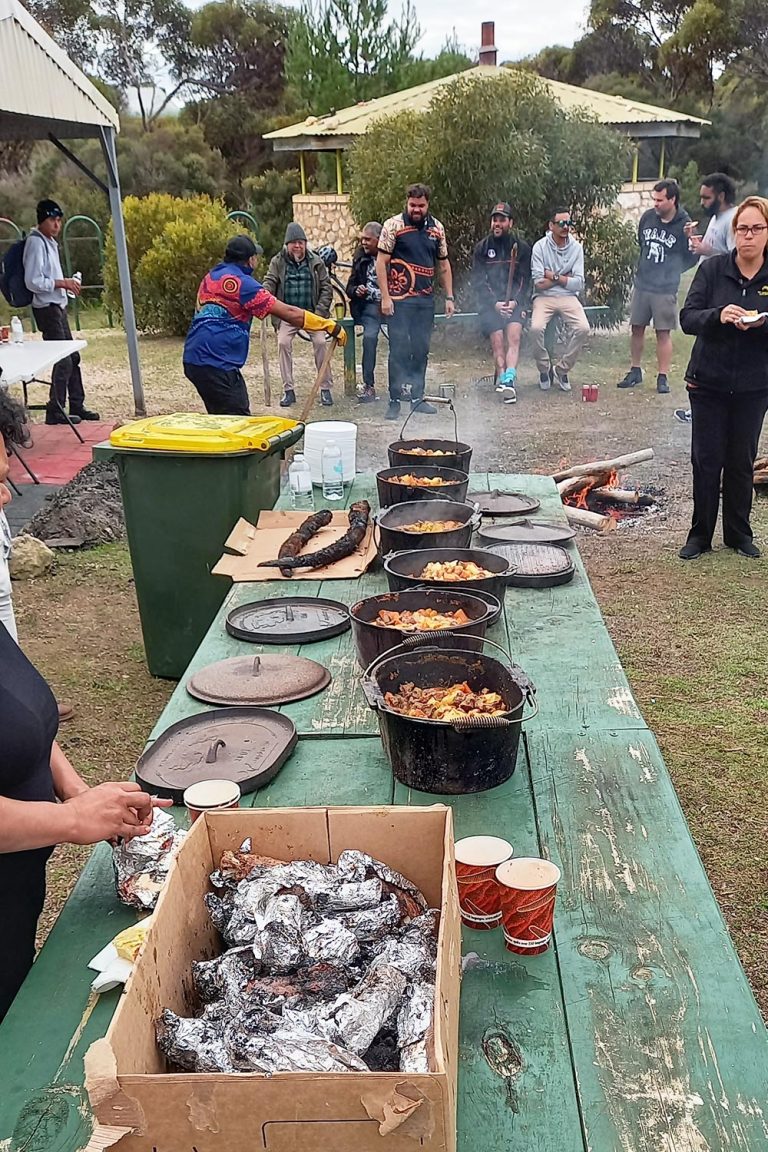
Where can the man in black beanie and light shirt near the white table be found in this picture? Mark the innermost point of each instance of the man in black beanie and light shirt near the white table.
(45, 279)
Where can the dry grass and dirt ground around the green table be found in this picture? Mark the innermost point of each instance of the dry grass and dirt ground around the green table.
(691, 638)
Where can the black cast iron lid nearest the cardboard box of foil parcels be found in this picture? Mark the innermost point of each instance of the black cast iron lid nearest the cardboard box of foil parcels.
(246, 746)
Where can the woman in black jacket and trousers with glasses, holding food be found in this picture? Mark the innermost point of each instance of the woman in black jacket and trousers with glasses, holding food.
(727, 380)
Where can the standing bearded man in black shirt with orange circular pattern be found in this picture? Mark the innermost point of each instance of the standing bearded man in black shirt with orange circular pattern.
(412, 247)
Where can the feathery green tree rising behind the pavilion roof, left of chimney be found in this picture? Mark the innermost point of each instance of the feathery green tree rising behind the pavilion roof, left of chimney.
(345, 51)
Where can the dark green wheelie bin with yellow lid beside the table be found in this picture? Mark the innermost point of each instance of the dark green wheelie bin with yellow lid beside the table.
(186, 481)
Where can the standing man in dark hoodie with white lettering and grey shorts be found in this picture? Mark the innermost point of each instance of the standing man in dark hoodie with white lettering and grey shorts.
(665, 256)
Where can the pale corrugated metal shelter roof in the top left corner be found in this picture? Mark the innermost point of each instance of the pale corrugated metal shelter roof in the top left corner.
(41, 89)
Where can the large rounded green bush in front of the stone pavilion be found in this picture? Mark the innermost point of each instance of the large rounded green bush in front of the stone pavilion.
(536, 156)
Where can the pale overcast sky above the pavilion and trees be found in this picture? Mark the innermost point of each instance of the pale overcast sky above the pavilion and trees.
(522, 27)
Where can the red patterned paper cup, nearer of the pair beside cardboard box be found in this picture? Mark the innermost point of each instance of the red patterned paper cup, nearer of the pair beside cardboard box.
(528, 888)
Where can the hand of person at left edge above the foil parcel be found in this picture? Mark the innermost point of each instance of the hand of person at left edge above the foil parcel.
(110, 810)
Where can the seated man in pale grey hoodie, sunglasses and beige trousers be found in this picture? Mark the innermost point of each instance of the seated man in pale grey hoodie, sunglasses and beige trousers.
(558, 278)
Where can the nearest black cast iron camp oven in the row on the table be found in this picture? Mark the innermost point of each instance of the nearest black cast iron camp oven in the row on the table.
(450, 757)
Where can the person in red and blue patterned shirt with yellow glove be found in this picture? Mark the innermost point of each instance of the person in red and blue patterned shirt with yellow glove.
(218, 340)
